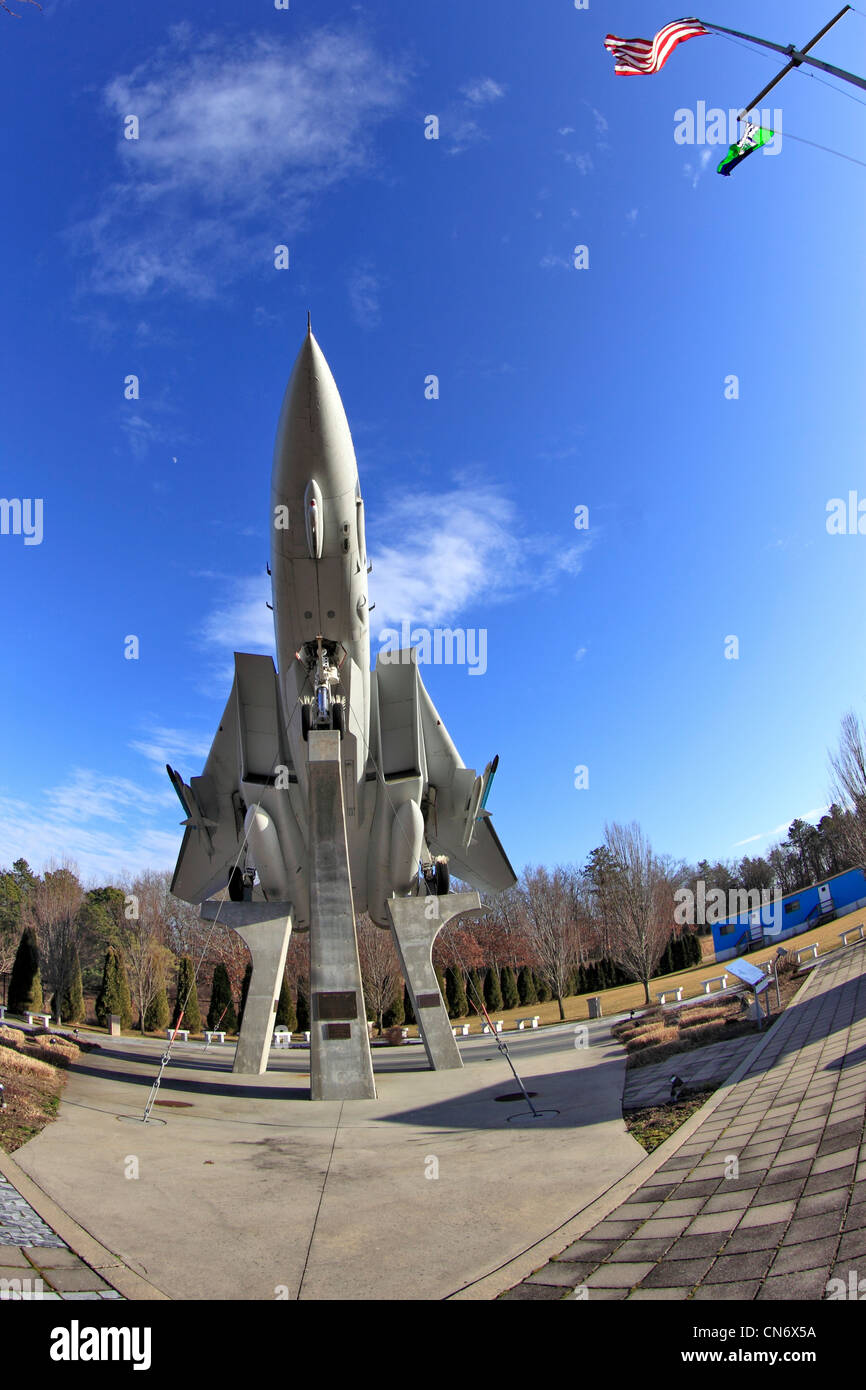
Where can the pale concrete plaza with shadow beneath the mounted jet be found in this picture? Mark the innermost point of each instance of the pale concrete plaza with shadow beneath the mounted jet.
(244, 1189)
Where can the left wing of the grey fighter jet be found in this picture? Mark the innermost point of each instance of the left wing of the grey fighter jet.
(215, 817)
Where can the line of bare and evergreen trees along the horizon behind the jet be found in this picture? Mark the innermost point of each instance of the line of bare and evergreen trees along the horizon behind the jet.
(559, 932)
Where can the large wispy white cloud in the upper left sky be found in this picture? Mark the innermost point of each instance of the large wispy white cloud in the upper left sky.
(237, 141)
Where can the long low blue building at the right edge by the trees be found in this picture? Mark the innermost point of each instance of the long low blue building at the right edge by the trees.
(786, 917)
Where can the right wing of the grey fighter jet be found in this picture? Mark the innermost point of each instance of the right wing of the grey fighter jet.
(458, 824)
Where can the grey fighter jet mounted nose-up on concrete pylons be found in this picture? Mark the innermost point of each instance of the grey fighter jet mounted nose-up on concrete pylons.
(415, 814)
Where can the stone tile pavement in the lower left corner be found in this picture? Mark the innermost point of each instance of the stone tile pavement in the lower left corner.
(35, 1264)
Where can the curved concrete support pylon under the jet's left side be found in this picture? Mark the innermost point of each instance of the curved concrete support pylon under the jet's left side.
(266, 928)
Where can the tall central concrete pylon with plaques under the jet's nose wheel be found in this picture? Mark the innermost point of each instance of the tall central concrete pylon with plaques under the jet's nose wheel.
(341, 1065)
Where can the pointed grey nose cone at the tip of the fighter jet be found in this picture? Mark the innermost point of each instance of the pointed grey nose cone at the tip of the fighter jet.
(313, 439)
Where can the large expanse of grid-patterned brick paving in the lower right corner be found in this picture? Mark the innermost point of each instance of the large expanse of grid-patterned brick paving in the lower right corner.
(793, 1217)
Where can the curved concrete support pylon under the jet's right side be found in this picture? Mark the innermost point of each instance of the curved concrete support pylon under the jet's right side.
(416, 924)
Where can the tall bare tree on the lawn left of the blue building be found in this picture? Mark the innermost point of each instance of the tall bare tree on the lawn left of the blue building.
(639, 901)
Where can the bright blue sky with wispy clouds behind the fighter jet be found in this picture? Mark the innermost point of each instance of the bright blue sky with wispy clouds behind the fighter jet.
(603, 387)
